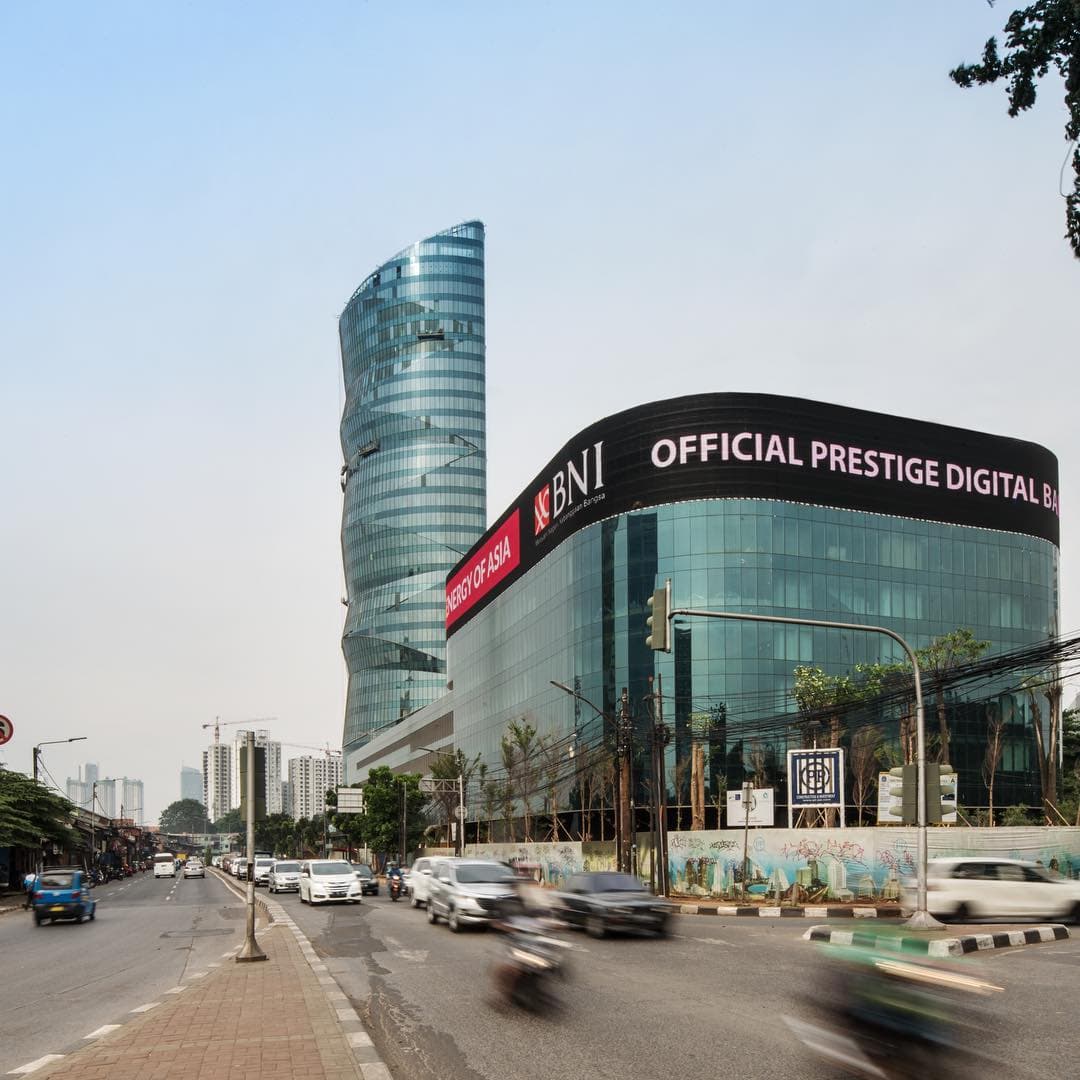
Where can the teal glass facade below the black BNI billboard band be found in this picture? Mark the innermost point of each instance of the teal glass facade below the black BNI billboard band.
(578, 617)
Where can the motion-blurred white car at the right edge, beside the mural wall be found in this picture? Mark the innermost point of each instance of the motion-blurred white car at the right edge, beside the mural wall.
(990, 888)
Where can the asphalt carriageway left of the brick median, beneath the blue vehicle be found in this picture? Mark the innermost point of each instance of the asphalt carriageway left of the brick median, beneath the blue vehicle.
(63, 981)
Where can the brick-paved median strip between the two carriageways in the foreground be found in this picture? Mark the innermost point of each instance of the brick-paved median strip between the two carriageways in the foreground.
(244, 1021)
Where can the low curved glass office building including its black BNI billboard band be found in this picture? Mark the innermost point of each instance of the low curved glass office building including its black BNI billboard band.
(749, 504)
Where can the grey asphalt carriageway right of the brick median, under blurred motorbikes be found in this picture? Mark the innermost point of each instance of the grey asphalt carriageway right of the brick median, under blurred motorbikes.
(706, 1005)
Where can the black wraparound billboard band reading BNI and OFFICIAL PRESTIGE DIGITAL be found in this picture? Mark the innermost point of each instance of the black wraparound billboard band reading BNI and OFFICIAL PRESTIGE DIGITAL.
(762, 447)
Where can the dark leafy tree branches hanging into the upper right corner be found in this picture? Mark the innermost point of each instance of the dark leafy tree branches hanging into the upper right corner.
(1038, 38)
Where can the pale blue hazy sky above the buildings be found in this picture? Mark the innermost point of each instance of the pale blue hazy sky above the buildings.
(784, 198)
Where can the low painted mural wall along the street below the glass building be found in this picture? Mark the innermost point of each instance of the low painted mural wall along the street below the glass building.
(799, 866)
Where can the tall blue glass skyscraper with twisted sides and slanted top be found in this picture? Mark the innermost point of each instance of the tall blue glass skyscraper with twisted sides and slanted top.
(413, 438)
